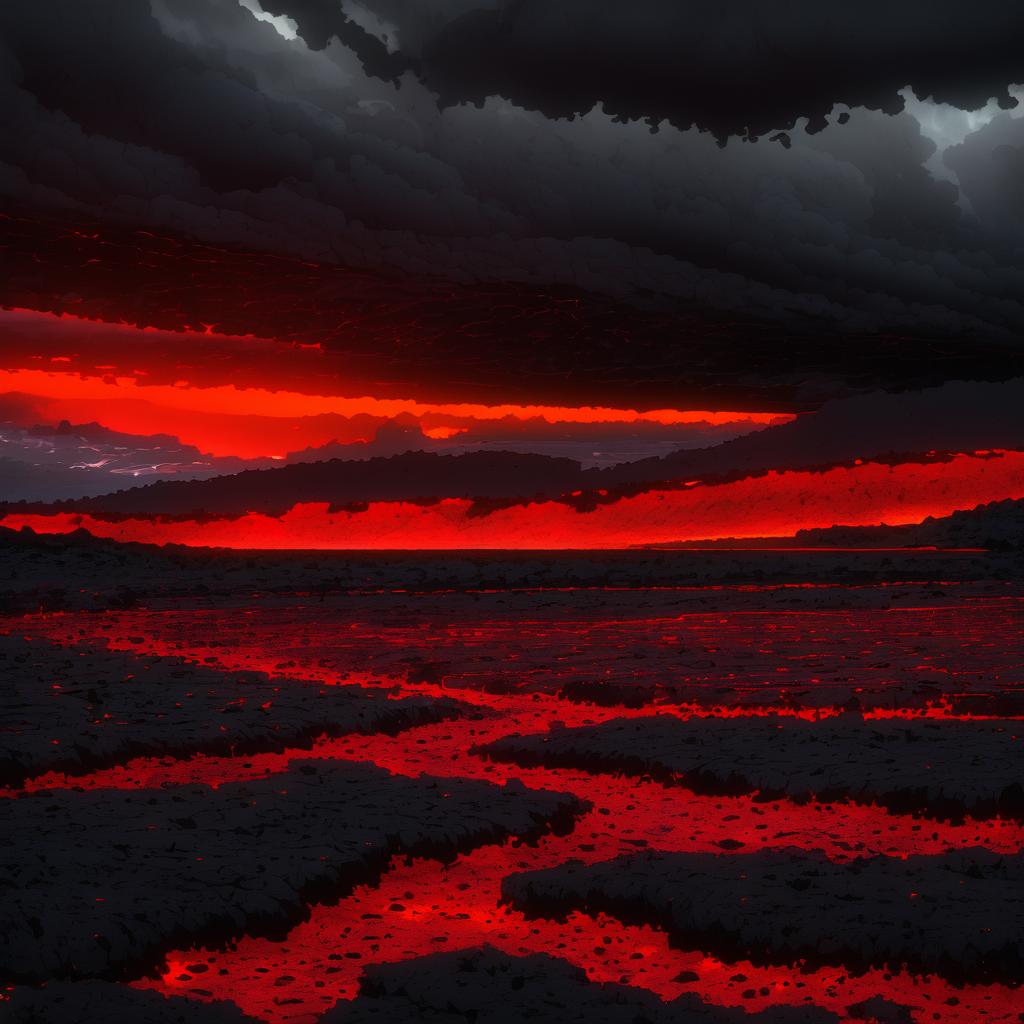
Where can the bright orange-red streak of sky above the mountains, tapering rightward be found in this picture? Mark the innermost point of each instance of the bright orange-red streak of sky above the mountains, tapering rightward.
(273, 409)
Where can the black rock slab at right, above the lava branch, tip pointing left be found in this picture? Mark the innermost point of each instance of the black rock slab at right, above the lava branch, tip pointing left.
(932, 767)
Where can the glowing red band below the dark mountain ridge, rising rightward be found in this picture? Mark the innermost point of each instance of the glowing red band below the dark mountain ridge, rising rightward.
(776, 504)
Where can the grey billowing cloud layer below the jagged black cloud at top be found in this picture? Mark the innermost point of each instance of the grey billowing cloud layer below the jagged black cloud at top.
(197, 118)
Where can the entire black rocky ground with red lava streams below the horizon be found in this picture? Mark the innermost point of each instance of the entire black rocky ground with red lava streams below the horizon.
(679, 787)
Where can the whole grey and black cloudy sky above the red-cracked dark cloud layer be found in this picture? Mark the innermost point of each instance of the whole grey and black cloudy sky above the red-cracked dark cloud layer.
(632, 150)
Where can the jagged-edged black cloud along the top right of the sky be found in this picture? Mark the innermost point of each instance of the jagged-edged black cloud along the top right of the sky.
(732, 67)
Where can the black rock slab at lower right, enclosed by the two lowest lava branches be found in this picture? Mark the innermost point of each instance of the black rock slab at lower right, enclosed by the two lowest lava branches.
(957, 914)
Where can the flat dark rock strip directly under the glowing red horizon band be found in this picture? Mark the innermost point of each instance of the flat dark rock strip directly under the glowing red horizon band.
(45, 572)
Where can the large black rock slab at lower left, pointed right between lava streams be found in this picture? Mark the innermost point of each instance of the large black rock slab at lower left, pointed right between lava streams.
(101, 882)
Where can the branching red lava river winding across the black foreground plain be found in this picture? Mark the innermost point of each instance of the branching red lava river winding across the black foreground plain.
(524, 662)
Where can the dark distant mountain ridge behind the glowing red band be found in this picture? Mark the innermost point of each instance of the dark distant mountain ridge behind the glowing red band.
(964, 417)
